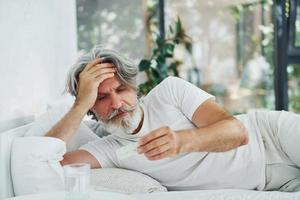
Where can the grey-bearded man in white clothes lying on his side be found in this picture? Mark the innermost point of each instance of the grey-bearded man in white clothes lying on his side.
(185, 140)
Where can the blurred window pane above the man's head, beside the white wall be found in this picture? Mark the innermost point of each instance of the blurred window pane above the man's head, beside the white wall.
(115, 24)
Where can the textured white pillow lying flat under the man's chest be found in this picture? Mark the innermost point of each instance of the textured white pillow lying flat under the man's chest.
(124, 181)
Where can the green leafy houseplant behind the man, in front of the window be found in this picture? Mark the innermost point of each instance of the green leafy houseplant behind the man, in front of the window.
(162, 62)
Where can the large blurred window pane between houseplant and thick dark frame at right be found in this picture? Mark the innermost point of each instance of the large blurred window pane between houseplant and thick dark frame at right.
(232, 50)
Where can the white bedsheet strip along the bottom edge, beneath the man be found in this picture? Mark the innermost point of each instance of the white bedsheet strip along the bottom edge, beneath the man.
(183, 195)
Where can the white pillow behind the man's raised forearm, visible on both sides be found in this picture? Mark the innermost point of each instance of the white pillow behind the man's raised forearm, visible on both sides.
(47, 120)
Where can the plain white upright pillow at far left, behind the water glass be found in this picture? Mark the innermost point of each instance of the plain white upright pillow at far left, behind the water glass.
(35, 166)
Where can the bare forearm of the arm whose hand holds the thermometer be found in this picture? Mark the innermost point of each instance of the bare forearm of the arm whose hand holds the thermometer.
(221, 136)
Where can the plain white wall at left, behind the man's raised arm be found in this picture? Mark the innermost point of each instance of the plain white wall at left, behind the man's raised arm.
(37, 46)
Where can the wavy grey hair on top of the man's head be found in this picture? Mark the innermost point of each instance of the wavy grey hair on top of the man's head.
(126, 69)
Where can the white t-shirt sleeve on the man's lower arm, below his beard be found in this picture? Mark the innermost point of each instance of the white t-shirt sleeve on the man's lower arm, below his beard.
(104, 150)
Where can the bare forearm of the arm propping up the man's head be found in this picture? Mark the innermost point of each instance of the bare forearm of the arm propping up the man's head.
(67, 126)
